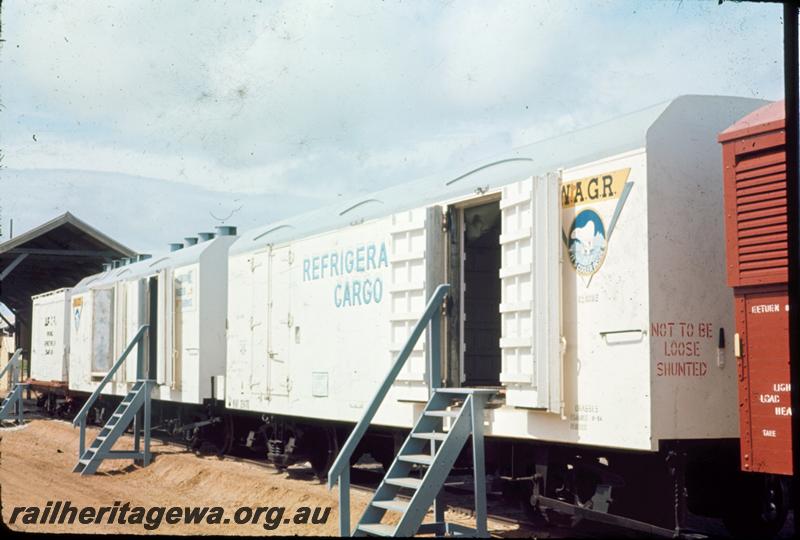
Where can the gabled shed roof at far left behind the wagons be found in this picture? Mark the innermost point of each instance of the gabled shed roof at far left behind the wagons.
(56, 254)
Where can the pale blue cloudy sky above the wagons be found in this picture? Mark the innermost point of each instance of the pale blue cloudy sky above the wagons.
(282, 106)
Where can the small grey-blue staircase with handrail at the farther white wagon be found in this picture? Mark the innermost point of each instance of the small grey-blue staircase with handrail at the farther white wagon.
(134, 408)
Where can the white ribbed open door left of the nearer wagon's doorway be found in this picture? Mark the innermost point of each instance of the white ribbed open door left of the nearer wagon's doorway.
(416, 261)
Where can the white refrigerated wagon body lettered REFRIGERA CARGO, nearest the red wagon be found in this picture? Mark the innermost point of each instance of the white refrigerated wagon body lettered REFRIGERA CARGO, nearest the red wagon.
(586, 287)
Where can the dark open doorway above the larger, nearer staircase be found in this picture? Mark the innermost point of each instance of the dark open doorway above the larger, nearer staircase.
(481, 273)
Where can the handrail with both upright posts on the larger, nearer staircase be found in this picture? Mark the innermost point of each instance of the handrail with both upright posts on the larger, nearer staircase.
(340, 470)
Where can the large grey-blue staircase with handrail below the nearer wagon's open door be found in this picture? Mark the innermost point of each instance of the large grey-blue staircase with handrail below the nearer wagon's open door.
(428, 448)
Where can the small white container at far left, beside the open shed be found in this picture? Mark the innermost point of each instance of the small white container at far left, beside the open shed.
(50, 336)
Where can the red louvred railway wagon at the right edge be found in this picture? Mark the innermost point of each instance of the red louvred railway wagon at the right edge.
(754, 163)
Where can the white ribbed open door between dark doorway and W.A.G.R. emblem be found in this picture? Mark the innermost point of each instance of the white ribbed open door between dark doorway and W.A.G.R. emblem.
(530, 307)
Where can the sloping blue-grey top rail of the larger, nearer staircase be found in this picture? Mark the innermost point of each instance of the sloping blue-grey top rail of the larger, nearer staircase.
(343, 459)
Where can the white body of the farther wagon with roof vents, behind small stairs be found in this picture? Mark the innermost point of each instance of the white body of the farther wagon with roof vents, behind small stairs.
(192, 293)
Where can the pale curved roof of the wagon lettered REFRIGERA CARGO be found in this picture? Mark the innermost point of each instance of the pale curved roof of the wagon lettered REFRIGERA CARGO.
(615, 136)
